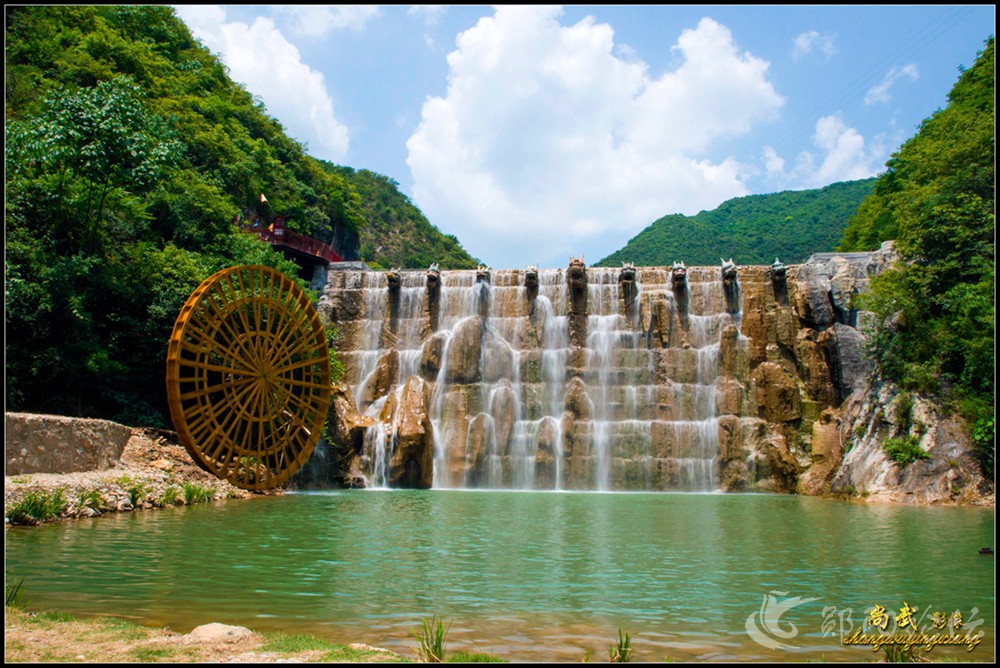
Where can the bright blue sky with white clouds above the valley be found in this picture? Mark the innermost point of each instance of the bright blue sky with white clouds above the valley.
(536, 133)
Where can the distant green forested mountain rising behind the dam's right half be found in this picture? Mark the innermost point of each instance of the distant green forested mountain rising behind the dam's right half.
(790, 225)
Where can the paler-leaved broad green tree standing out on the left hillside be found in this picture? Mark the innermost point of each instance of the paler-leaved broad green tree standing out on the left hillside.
(84, 162)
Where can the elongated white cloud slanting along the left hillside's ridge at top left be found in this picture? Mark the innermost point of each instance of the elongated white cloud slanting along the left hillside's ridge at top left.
(259, 56)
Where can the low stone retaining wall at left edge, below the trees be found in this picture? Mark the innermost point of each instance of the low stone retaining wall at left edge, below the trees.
(58, 444)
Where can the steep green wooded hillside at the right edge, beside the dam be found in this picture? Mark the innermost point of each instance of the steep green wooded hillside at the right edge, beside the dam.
(935, 309)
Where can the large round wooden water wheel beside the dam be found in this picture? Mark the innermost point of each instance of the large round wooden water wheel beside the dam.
(248, 376)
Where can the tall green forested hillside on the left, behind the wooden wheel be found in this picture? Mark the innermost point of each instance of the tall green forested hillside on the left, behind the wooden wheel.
(129, 154)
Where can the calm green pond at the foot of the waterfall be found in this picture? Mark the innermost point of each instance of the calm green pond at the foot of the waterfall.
(532, 576)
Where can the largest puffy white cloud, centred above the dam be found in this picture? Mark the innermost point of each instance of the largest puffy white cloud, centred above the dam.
(548, 144)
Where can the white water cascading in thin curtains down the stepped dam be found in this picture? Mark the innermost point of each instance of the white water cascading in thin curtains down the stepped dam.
(526, 391)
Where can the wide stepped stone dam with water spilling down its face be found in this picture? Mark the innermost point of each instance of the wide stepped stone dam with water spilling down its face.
(678, 378)
